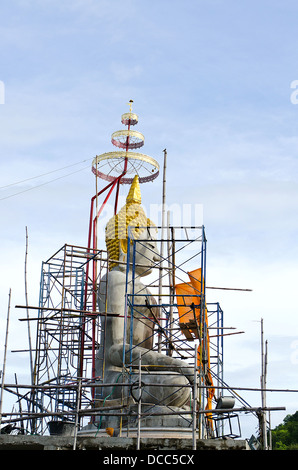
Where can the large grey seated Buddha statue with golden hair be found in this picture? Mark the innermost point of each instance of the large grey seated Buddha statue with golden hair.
(119, 346)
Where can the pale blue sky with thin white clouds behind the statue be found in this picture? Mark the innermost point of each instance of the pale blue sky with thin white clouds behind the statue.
(213, 82)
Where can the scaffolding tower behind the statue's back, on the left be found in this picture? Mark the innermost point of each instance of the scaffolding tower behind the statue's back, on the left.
(67, 330)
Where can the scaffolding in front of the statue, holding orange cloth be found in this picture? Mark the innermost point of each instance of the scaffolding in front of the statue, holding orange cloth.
(180, 322)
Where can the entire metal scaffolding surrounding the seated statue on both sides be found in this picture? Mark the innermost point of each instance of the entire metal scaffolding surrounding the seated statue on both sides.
(68, 382)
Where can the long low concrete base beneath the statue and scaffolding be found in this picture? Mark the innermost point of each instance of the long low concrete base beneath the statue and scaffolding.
(106, 443)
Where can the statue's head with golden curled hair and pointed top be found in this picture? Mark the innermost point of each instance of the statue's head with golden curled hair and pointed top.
(131, 222)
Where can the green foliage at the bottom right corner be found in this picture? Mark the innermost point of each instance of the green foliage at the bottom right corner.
(285, 436)
